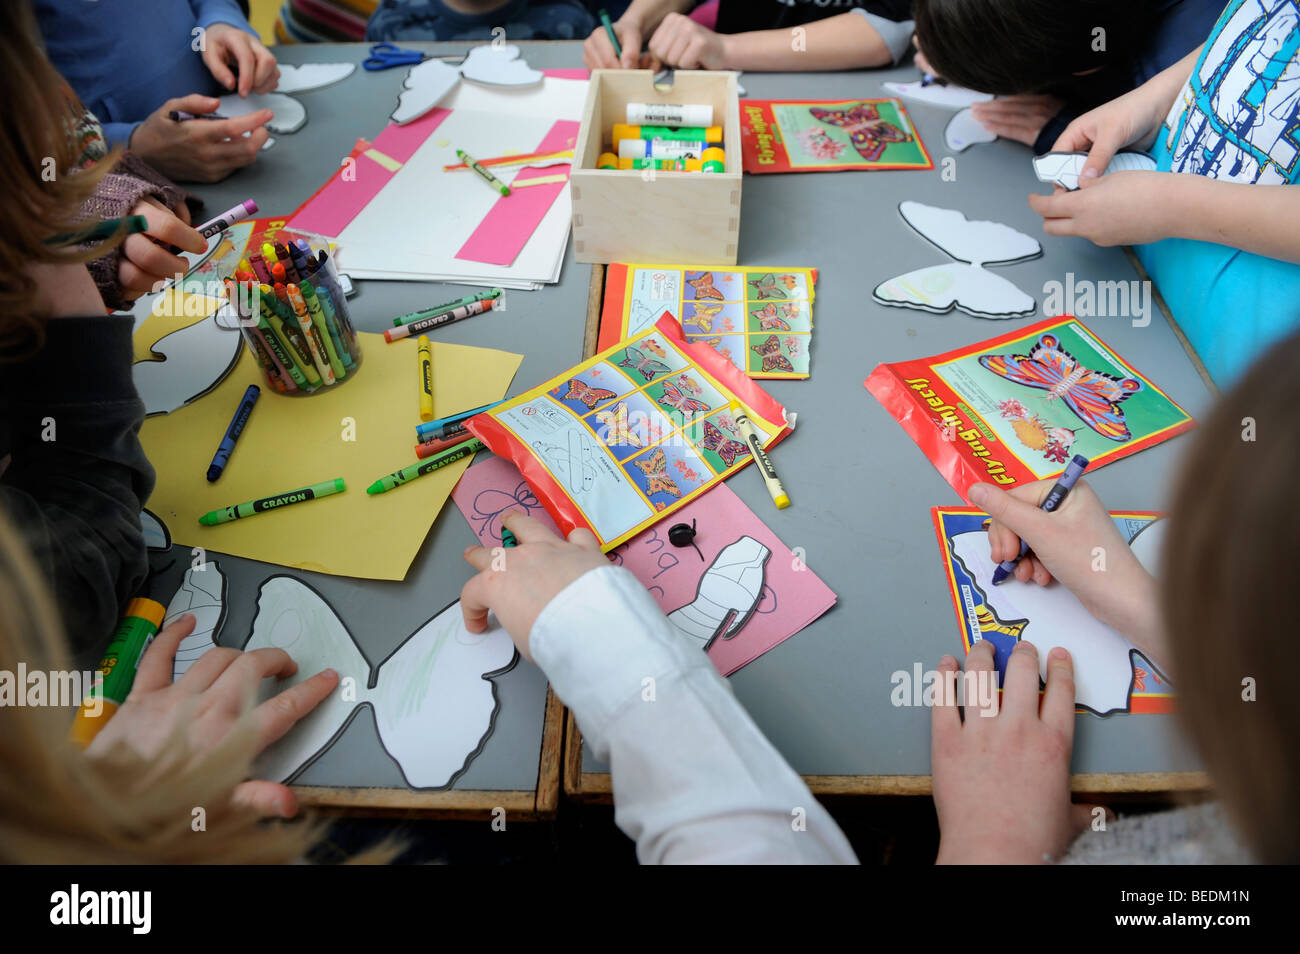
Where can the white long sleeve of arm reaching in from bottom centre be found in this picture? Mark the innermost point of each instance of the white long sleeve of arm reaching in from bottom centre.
(695, 780)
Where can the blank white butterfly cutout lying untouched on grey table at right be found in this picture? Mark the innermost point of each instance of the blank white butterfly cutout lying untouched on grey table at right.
(964, 284)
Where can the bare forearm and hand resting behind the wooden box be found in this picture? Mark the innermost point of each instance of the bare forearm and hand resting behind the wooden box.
(850, 41)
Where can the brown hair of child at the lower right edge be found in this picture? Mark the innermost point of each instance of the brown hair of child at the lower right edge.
(1229, 601)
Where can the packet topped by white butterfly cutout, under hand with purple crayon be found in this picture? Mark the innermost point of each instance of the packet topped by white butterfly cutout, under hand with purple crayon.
(1111, 675)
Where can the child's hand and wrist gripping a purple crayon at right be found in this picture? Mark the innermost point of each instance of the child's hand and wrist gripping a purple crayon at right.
(1078, 545)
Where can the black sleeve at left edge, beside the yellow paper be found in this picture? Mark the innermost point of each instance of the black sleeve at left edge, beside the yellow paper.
(77, 476)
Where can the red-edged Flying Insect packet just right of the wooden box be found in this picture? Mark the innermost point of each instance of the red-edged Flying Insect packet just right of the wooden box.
(829, 136)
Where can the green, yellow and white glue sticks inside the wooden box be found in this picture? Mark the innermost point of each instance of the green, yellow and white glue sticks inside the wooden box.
(668, 138)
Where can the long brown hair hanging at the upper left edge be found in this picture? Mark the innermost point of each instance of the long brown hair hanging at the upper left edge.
(41, 188)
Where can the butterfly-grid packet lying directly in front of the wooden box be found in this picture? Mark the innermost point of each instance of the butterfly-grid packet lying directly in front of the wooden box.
(759, 319)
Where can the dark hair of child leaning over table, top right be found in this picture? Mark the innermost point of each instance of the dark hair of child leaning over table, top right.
(1008, 47)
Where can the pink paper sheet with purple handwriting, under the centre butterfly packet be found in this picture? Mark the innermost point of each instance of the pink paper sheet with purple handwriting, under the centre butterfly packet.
(792, 599)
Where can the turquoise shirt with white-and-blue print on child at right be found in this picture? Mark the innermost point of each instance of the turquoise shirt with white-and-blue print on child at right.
(1238, 120)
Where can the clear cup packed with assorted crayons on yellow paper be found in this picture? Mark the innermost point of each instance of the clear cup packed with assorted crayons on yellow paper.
(293, 315)
